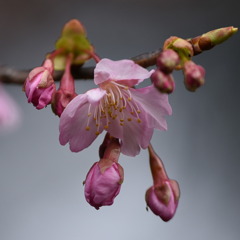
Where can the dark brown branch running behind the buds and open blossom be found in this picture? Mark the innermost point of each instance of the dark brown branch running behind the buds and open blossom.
(12, 76)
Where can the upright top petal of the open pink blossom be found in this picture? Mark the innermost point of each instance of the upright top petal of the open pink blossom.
(123, 71)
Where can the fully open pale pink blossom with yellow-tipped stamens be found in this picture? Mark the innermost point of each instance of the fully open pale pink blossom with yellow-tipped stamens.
(126, 113)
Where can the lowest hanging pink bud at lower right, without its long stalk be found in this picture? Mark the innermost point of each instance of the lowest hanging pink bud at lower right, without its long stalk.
(163, 199)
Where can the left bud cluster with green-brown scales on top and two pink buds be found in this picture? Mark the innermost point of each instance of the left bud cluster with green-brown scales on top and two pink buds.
(72, 47)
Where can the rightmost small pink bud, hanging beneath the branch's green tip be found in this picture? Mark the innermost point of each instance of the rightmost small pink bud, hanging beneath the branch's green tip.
(193, 76)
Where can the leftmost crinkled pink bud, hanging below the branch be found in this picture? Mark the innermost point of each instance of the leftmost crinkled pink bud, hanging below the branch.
(39, 85)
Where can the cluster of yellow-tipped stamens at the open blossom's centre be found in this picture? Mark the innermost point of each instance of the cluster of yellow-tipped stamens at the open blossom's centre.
(116, 104)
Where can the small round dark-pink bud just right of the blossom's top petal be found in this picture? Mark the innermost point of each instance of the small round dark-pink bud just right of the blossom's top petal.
(163, 82)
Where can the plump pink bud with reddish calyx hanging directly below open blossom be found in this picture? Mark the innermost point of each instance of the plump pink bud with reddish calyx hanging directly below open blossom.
(104, 179)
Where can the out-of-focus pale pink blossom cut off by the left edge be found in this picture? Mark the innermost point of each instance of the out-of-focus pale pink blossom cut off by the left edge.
(9, 111)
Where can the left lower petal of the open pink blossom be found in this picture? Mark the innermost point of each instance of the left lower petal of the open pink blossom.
(74, 121)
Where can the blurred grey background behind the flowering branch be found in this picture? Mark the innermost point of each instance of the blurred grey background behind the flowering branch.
(41, 192)
